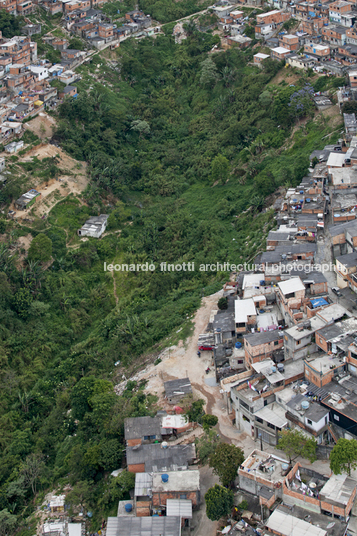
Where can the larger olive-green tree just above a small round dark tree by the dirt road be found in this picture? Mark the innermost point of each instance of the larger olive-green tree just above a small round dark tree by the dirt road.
(225, 462)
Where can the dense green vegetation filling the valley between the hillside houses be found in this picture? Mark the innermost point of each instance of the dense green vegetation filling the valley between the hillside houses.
(183, 149)
